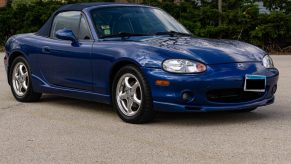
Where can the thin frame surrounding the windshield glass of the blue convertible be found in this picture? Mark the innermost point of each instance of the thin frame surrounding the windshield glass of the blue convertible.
(133, 6)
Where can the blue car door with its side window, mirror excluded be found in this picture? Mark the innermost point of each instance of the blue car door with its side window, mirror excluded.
(63, 63)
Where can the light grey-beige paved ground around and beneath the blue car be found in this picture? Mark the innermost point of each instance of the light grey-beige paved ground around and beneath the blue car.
(63, 130)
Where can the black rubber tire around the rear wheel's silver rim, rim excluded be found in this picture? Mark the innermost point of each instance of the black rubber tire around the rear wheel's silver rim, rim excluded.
(29, 95)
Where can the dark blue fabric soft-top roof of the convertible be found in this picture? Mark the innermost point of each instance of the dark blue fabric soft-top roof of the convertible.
(45, 29)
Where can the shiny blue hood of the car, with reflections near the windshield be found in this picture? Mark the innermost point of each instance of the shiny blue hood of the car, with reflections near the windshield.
(208, 51)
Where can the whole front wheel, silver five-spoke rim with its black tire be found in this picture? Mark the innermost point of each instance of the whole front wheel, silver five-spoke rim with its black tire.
(132, 96)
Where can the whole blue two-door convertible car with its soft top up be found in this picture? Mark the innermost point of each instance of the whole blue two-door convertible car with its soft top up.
(138, 58)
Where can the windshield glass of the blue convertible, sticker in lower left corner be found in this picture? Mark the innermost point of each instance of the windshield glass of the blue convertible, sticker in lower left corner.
(134, 21)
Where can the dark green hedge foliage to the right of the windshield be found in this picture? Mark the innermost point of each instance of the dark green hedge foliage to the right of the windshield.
(241, 20)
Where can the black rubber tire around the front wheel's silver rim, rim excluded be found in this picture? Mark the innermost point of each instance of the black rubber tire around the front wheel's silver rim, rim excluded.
(145, 113)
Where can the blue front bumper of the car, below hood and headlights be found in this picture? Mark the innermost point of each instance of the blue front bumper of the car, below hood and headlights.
(217, 77)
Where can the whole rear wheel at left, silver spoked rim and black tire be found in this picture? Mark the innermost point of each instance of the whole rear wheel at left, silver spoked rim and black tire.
(20, 81)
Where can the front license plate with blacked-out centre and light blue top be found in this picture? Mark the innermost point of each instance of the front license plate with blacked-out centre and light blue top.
(255, 83)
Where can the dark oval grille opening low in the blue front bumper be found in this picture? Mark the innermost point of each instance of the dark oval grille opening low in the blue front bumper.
(232, 95)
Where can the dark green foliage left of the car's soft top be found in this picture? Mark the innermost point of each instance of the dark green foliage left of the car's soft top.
(23, 18)
